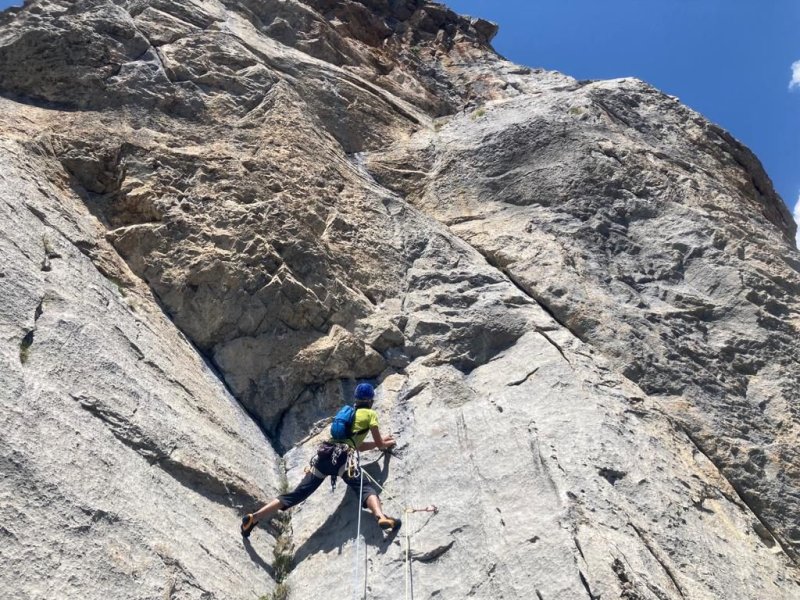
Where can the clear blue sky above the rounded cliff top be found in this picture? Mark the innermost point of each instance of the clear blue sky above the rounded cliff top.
(729, 59)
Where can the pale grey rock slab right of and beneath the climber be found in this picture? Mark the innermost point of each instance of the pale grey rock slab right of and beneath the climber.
(551, 478)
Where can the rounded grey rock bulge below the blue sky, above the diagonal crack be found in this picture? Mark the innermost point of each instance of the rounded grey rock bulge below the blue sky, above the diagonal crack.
(663, 245)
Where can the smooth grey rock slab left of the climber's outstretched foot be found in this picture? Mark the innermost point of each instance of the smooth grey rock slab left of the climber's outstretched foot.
(122, 454)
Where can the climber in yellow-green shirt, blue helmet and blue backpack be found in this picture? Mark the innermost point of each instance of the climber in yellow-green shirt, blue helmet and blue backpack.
(336, 457)
